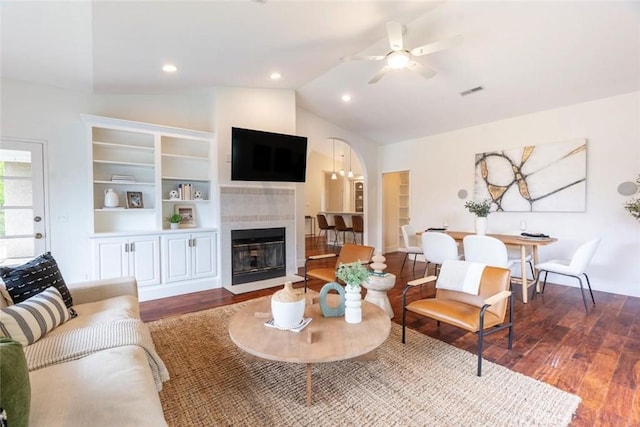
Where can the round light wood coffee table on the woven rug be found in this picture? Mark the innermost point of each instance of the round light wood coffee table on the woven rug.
(325, 339)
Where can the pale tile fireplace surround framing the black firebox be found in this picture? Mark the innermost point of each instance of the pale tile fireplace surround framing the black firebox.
(243, 208)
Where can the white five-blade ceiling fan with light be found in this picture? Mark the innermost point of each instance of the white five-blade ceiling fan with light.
(399, 57)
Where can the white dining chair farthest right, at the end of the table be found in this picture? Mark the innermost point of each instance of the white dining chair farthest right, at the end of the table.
(575, 267)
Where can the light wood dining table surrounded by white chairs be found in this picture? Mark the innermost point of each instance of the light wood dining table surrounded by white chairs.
(525, 244)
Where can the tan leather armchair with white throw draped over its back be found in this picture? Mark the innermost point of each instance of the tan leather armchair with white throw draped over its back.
(482, 314)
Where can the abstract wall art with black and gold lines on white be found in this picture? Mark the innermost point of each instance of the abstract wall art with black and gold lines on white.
(536, 178)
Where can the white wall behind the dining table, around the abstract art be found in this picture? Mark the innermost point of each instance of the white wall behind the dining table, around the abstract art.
(442, 164)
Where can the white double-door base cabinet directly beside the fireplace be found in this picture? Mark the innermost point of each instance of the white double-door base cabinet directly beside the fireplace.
(188, 256)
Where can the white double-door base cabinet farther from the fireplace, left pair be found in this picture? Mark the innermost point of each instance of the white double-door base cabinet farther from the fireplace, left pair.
(137, 256)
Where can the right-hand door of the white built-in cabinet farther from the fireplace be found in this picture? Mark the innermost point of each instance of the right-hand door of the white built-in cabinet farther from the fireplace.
(144, 258)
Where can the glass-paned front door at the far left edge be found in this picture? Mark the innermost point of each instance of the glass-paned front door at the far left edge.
(23, 233)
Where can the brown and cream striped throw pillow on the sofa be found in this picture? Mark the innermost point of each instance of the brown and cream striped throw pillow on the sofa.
(29, 320)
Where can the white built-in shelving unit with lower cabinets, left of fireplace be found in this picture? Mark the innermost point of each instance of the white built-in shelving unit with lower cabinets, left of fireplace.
(152, 160)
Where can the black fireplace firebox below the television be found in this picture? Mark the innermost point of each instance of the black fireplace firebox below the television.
(257, 254)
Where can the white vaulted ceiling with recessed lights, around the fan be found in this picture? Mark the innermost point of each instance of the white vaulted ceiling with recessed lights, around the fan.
(528, 56)
